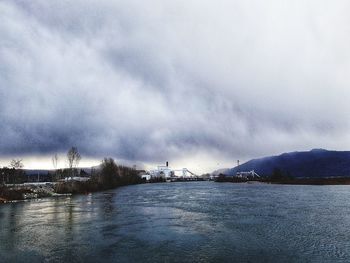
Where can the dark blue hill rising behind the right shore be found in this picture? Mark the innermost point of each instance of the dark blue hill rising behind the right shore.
(314, 163)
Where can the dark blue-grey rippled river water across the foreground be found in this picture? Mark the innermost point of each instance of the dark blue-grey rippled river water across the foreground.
(182, 222)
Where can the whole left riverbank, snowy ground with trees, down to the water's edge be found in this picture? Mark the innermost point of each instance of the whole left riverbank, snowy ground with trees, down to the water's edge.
(16, 186)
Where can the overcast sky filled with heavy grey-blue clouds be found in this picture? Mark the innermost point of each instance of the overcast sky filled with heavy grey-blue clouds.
(197, 83)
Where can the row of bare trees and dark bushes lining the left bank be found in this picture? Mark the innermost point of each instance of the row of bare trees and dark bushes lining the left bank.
(107, 175)
